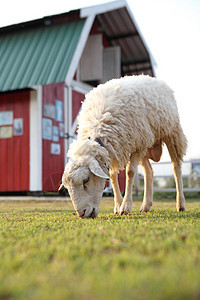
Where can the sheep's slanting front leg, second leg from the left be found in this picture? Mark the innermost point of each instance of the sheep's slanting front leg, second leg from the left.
(131, 168)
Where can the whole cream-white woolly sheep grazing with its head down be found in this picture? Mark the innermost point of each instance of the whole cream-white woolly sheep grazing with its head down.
(123, 122)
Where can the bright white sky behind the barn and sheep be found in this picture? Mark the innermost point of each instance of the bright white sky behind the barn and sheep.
(171, 29)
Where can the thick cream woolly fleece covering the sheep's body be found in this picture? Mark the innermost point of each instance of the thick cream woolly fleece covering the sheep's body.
(130, 115)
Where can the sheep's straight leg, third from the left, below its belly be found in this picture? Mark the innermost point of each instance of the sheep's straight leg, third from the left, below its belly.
(148, 185)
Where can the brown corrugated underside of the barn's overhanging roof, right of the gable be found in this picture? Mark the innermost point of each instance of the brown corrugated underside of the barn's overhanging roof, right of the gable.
(122, 31)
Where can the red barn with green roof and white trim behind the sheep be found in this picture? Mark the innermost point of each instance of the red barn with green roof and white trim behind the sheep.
(47, 66)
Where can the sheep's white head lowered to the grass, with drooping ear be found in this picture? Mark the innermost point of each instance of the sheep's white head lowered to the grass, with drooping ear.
(84, 178)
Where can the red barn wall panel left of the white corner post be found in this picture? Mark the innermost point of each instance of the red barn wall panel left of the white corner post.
(14, 141)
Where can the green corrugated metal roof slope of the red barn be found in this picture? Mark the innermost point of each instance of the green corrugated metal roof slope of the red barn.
(38, 55)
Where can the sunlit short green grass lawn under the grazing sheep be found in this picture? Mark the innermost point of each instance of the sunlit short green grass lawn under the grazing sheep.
(47, 252)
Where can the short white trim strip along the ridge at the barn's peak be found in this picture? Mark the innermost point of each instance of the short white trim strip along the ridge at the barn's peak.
(102, 8)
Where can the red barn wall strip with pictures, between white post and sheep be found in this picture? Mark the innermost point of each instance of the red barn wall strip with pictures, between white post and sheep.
(52, 135)
